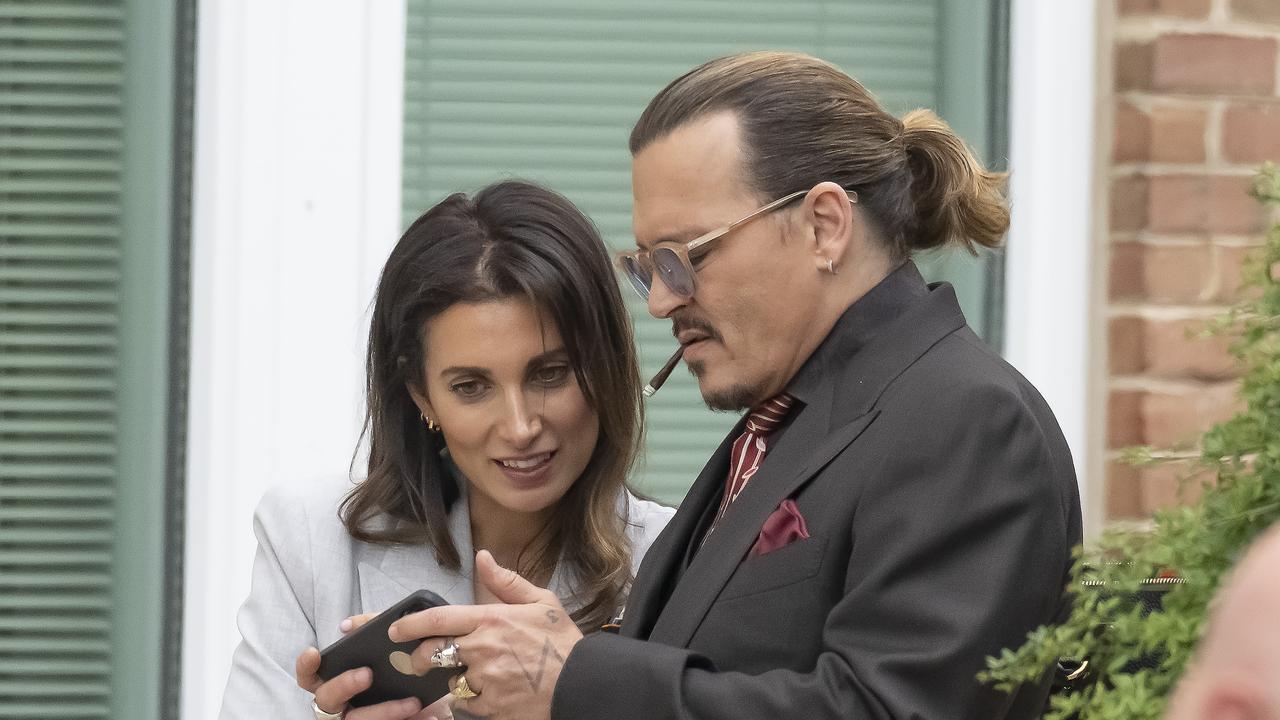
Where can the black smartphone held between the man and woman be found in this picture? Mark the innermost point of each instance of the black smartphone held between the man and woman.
(394, 676)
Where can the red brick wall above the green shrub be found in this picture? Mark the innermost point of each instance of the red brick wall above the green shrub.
(1196, 108)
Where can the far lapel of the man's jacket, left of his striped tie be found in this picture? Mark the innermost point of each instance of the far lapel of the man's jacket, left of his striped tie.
(664, 563)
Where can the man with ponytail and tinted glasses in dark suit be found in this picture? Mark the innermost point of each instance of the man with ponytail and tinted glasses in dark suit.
(898, 503)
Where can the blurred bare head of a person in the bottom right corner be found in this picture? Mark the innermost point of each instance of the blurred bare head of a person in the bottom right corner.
(1237, 672)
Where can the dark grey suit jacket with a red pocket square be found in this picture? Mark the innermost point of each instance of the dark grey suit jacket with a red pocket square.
(941, 507)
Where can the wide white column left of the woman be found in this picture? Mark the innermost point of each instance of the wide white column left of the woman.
(298, 195)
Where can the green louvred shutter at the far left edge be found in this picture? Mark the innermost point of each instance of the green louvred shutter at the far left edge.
(65, 318)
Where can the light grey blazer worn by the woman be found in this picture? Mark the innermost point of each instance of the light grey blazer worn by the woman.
(309, 576)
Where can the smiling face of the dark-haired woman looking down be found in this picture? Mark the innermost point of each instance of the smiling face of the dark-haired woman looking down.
(500, 384)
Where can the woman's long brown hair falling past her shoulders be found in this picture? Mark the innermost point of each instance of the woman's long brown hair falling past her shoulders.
(513, 240)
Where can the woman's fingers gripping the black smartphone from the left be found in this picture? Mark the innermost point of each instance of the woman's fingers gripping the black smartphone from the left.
(335, 696)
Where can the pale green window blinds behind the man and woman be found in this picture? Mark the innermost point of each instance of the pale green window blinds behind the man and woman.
(548, 92)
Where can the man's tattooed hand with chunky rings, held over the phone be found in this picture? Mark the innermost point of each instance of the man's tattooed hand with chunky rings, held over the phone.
(514, 653)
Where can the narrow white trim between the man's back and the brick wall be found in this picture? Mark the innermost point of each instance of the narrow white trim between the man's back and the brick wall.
(1052, 274)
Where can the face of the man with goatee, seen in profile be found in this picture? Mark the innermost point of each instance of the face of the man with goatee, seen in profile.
(747, 326)
